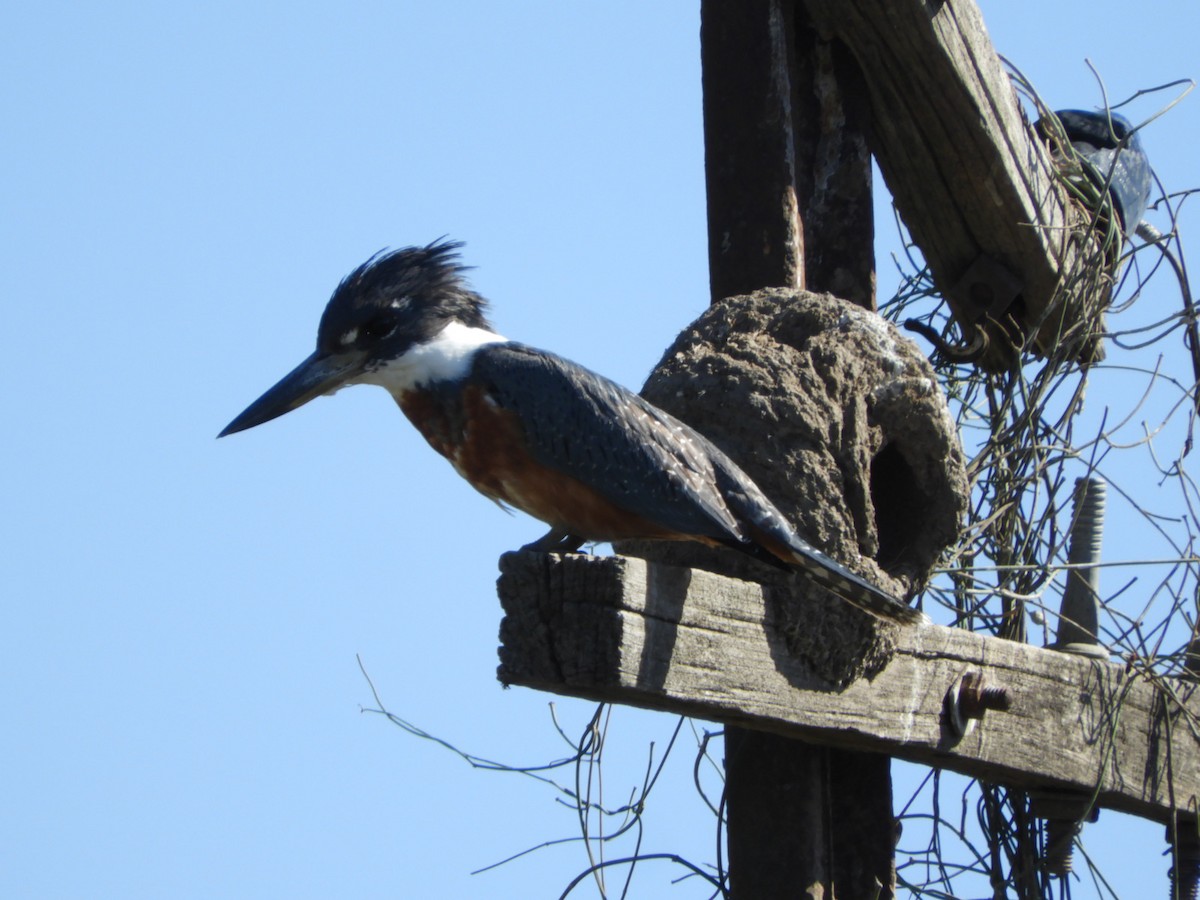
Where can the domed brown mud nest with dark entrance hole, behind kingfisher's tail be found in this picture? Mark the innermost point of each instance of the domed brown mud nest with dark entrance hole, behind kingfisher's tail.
(836, 416)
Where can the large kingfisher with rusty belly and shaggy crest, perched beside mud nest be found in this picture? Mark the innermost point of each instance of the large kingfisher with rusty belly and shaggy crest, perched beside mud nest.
(538, 433)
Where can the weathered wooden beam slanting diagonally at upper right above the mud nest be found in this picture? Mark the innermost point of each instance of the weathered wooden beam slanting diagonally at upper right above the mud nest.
(976, 190)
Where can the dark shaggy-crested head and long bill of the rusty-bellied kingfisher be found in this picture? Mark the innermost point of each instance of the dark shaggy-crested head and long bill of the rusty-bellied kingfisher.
(380, 316)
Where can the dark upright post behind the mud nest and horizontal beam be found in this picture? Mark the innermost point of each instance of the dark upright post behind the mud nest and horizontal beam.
(789, 178)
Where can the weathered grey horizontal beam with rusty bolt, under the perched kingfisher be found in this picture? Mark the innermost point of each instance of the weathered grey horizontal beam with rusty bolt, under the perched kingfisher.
(692, 643)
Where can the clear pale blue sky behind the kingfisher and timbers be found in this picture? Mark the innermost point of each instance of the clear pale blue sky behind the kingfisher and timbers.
(185, 185)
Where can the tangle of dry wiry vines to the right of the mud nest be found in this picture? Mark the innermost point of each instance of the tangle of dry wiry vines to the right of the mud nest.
(1030, 433)
